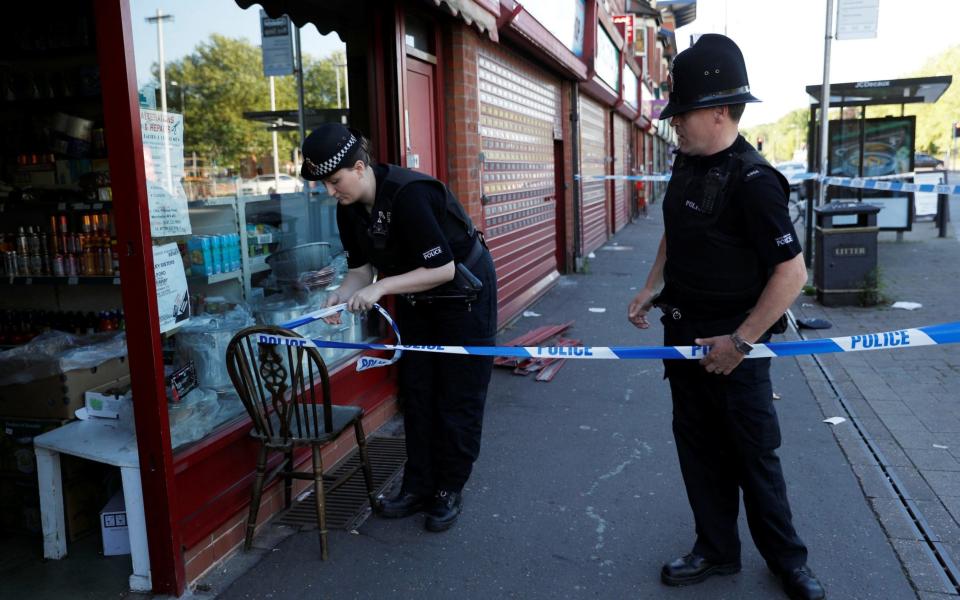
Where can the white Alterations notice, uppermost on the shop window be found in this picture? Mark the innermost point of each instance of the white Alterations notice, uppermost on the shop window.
(162, 135)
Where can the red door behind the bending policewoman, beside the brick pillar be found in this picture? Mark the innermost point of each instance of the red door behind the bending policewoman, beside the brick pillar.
(421, 117)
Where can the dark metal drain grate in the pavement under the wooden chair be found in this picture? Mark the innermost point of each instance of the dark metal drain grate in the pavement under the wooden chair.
(348, 505)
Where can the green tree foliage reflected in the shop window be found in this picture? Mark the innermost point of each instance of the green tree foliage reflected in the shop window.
(223, 78)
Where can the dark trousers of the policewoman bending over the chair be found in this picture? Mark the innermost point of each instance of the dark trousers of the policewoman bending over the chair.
(442, 396)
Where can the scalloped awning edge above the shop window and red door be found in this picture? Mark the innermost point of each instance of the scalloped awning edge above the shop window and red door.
(333, 15)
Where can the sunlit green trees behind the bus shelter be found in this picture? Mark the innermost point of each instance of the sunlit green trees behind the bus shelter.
(934, 121)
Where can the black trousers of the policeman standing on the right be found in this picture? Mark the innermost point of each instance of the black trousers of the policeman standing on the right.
(726, 431)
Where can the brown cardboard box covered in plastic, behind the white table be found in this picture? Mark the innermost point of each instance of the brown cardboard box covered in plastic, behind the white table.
(58, 396)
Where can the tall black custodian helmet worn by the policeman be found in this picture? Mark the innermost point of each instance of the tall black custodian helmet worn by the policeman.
(709, 73)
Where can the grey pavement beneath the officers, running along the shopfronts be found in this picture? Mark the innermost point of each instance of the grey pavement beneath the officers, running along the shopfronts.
(577, 492)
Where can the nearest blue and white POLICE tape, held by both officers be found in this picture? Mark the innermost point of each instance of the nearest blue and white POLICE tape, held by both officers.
(946, 333)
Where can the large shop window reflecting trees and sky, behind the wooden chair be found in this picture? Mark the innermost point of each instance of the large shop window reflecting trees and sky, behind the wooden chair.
(242, 237)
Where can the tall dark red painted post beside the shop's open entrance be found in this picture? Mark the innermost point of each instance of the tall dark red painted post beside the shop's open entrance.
(131, 216)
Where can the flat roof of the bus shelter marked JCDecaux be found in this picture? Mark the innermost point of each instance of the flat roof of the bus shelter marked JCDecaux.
(884, 91)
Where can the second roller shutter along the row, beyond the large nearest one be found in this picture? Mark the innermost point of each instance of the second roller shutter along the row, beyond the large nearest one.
(593, 205)
